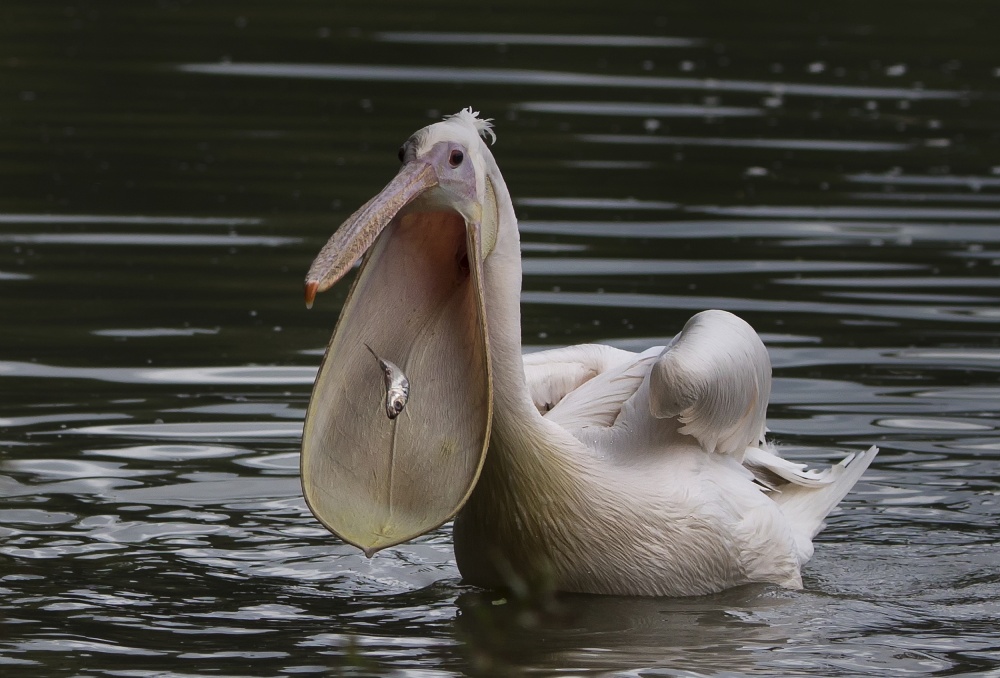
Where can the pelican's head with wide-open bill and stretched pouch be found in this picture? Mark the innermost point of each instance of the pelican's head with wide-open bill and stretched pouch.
(418, 302)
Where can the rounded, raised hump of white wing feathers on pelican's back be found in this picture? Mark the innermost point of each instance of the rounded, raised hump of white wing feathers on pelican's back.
(715, 379)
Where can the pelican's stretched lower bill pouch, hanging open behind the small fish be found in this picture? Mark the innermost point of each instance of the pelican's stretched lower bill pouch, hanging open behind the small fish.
(417, 301)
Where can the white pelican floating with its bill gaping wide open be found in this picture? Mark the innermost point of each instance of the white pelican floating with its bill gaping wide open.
(584, 469)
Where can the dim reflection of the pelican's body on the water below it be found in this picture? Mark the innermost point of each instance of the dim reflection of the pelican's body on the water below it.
(588, 633)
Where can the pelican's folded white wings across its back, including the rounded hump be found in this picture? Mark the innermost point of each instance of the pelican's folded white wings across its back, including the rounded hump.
(711, 383)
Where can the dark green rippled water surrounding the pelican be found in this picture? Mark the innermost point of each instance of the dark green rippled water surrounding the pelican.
(168, 170)
